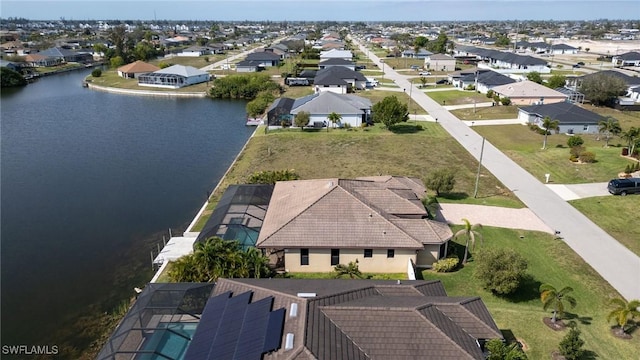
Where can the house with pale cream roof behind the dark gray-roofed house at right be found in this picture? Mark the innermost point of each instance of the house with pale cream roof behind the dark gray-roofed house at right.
(529, 93)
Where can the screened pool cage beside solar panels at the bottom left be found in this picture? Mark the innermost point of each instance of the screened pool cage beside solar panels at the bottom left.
(163, 313)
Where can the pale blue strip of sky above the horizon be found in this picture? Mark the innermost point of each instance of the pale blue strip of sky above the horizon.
(319, 10)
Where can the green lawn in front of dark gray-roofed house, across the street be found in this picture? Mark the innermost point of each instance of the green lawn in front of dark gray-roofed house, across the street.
(524, 147)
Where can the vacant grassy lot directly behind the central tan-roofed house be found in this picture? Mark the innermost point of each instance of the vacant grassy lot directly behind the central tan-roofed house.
(363, 152)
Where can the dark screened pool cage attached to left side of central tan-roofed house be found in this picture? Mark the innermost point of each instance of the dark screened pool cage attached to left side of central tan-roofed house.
(239, 214)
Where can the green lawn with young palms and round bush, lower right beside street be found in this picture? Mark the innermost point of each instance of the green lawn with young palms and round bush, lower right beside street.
(549, 261)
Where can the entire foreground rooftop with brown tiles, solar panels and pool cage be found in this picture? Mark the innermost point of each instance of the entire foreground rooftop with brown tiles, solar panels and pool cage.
(319, 319)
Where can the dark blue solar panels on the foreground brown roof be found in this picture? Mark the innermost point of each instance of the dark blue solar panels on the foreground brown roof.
(233, 327)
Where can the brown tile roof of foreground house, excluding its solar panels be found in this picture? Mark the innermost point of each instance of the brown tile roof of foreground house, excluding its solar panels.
(373, 319)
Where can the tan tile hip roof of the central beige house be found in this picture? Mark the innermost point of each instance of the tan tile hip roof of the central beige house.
(330, 213)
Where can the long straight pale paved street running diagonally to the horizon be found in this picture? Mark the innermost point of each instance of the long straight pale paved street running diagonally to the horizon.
(614, 262)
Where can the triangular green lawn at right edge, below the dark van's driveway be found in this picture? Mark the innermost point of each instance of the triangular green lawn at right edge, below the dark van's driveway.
(616, 215)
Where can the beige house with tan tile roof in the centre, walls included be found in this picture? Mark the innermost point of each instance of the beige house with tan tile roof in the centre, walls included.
(379, 221)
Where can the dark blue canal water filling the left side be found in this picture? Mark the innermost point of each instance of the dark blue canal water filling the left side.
(89, 183)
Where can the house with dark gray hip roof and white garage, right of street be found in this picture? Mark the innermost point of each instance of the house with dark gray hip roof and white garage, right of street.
(572, 118)
